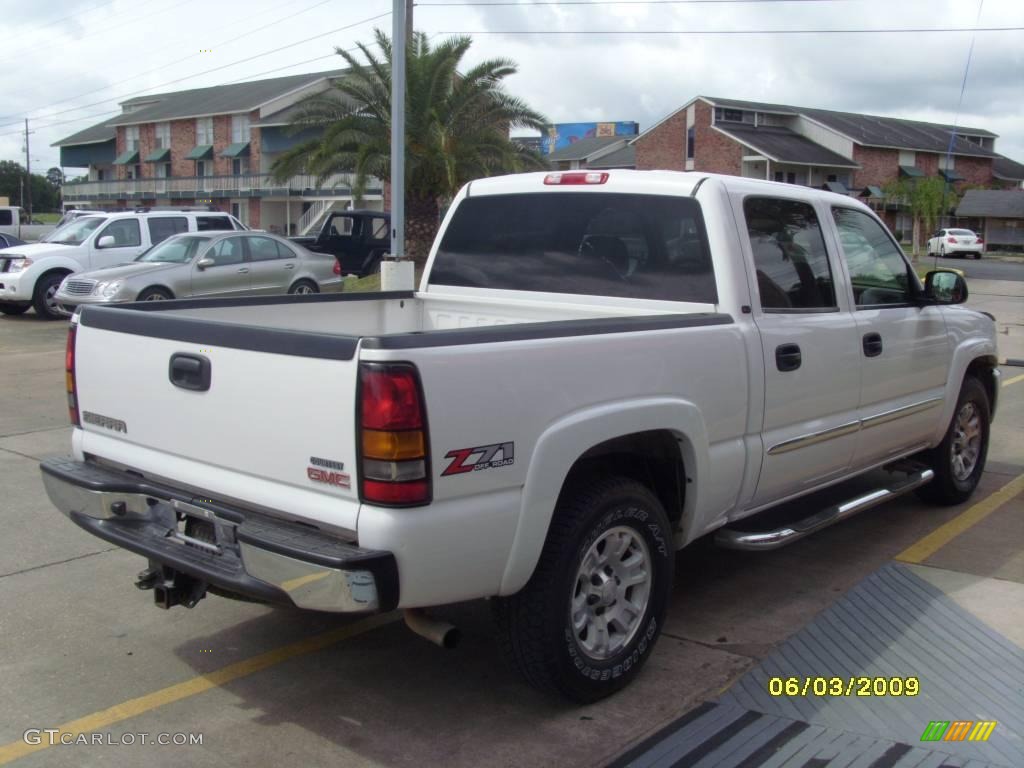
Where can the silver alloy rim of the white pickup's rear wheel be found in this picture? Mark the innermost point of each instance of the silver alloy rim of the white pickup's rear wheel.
(611, 592)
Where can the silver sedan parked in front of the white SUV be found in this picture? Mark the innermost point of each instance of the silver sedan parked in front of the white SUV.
(206, 265)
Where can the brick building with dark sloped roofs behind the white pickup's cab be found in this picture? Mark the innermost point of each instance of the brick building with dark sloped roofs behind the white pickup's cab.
(845, 152)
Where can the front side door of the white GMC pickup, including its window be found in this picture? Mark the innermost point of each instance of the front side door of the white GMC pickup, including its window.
(905, 348)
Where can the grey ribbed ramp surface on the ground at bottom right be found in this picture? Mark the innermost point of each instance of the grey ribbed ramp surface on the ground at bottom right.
(893, 624)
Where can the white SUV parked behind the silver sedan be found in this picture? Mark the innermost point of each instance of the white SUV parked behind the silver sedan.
(30, 275)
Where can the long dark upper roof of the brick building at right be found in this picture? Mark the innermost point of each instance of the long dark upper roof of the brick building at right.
(873, 131)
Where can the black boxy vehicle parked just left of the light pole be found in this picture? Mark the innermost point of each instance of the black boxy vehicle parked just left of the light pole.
(357, 239)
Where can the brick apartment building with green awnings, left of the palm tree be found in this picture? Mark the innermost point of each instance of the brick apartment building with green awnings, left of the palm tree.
(209, 147)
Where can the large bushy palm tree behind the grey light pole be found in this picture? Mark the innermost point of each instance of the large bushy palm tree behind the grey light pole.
(457, 125)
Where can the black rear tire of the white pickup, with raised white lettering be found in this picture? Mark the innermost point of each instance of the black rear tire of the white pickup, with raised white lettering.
(536, 625)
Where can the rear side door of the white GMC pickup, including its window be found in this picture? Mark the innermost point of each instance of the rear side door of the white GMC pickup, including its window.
(809, 347)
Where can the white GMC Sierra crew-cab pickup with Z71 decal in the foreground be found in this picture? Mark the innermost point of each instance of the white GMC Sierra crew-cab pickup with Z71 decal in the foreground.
(598, 370)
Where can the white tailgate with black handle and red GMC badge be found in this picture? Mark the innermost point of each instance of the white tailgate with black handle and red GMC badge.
(274, 429)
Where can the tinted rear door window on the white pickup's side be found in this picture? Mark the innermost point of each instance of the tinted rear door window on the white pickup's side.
(790, 257)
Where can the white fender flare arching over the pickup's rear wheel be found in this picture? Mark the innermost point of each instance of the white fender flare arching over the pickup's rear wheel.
(562, 445)
